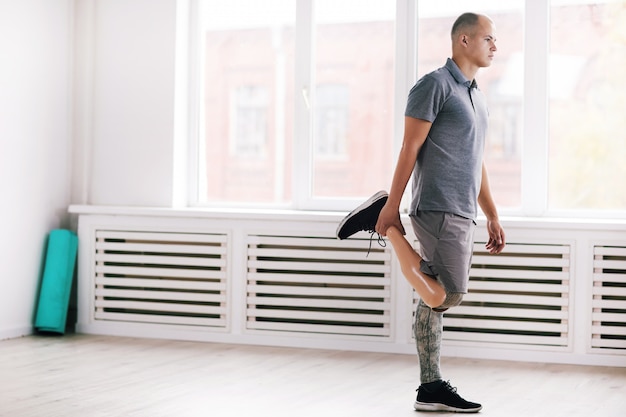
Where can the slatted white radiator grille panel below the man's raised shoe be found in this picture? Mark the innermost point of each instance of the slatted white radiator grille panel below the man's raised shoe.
(318, 285)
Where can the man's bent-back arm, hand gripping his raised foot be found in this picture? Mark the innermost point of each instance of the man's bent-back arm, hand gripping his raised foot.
(415, 133)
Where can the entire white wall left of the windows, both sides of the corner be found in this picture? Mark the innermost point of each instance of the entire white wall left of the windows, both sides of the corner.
(86, 117)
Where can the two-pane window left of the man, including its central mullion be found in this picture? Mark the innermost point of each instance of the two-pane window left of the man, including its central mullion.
(250, 104)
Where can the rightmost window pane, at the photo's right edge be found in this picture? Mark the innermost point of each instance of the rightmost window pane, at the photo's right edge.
(587, 130)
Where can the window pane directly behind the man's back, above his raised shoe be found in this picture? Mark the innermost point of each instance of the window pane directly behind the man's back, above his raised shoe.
(353, 71)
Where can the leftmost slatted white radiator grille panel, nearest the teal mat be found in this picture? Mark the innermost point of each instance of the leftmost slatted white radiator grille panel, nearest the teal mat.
(157, 277)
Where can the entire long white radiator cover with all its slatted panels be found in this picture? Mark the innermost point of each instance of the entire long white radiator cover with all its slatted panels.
(554, 295)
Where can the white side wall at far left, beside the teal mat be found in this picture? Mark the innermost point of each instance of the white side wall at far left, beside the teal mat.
(34, 147)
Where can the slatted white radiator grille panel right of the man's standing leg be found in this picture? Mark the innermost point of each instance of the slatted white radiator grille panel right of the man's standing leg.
(520, 297)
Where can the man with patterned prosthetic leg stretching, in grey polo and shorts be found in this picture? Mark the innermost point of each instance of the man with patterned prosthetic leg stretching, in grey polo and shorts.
(444, 137)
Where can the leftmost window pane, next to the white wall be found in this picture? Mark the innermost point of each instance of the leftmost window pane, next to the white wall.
(246, 102)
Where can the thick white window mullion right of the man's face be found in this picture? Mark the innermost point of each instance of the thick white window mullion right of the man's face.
(536, 117)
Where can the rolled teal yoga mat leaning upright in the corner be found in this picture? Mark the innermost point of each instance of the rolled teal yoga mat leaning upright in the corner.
(56, 284)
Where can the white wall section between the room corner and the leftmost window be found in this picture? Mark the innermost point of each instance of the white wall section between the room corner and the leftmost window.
(125, 72)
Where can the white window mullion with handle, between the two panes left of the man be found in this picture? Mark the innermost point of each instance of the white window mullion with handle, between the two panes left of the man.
(302, 146)
